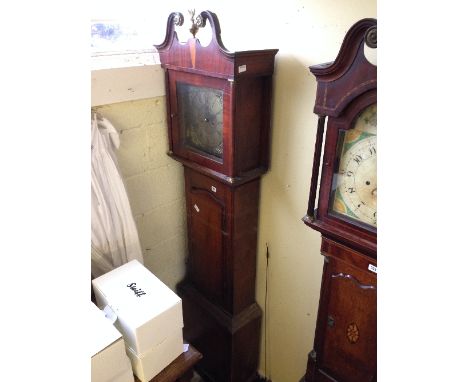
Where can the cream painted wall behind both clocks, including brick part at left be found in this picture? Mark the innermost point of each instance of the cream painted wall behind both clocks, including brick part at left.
(306, 33)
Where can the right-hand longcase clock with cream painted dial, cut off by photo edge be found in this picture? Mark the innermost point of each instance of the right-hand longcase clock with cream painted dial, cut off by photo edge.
(343, 208)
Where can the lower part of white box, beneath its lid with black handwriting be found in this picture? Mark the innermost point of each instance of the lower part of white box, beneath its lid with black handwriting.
(147, 365)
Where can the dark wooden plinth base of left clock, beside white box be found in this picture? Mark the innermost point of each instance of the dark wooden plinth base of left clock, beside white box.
(229, 343)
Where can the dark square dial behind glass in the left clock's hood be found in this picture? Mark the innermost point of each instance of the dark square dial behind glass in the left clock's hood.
(200, 112)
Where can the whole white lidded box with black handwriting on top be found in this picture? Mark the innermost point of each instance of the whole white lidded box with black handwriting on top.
(147, 313)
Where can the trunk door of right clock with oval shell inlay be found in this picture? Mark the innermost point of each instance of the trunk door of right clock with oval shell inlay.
(348, 323)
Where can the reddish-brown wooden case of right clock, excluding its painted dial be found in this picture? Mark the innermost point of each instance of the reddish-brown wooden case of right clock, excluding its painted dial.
(345, 343)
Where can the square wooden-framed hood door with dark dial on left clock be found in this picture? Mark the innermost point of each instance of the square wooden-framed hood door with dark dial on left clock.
(200, 120)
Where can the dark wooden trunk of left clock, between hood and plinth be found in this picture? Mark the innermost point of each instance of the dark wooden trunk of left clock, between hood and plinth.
(222, 230)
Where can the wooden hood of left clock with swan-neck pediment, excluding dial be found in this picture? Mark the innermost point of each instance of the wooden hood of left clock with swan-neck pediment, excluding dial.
(246, 100)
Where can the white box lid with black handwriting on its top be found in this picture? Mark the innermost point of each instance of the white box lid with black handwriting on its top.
(147, 310)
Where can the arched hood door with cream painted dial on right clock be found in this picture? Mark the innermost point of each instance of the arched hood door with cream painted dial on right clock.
(346, 210)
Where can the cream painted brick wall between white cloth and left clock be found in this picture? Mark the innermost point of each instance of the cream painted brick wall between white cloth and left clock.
(154, 183)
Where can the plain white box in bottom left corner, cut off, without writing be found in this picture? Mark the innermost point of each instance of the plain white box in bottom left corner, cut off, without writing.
(109, 361)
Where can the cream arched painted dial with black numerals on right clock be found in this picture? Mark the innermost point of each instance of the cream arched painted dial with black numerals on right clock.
(354, 188)
